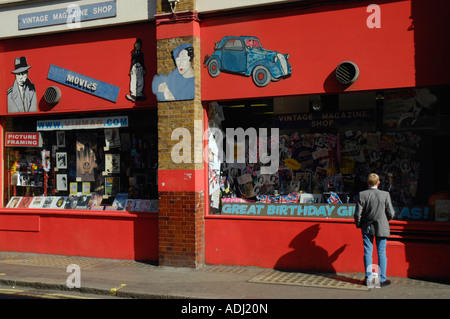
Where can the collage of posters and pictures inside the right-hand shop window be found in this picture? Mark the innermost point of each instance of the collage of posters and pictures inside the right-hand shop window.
(319, 167)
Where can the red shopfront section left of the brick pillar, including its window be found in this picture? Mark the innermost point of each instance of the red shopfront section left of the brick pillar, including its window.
(93, 150)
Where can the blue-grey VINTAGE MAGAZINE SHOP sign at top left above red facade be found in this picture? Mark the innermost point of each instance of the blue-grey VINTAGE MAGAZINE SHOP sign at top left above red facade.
(68, 15)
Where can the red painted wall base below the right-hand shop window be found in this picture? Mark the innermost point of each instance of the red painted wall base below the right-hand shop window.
(320, 245)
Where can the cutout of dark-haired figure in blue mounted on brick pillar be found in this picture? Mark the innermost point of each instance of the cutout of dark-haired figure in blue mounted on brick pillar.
(179, 84)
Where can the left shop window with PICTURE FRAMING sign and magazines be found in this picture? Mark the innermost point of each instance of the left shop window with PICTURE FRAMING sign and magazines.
(102, 162)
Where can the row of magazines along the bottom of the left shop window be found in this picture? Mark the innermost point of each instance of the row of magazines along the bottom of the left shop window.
(93, 201)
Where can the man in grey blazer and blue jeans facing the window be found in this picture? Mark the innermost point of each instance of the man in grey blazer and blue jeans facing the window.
(373, 212)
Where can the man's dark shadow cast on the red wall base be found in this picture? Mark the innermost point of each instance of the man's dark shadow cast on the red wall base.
(306, 255)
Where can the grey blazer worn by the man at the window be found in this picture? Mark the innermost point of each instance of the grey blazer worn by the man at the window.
(374, 208)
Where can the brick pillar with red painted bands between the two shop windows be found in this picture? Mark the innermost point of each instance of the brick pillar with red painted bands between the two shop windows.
(181, 186)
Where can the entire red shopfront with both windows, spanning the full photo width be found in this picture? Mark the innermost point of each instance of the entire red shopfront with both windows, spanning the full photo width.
(351, 89)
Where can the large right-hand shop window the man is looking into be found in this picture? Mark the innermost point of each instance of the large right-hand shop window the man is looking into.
(325, 153)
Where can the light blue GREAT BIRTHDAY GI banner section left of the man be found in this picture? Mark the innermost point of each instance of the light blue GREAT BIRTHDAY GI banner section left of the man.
(289, 210)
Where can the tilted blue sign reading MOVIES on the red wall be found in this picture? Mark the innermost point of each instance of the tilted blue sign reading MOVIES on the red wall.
(83, 83)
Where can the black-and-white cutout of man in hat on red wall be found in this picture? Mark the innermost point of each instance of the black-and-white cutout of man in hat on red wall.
(22, 95)
